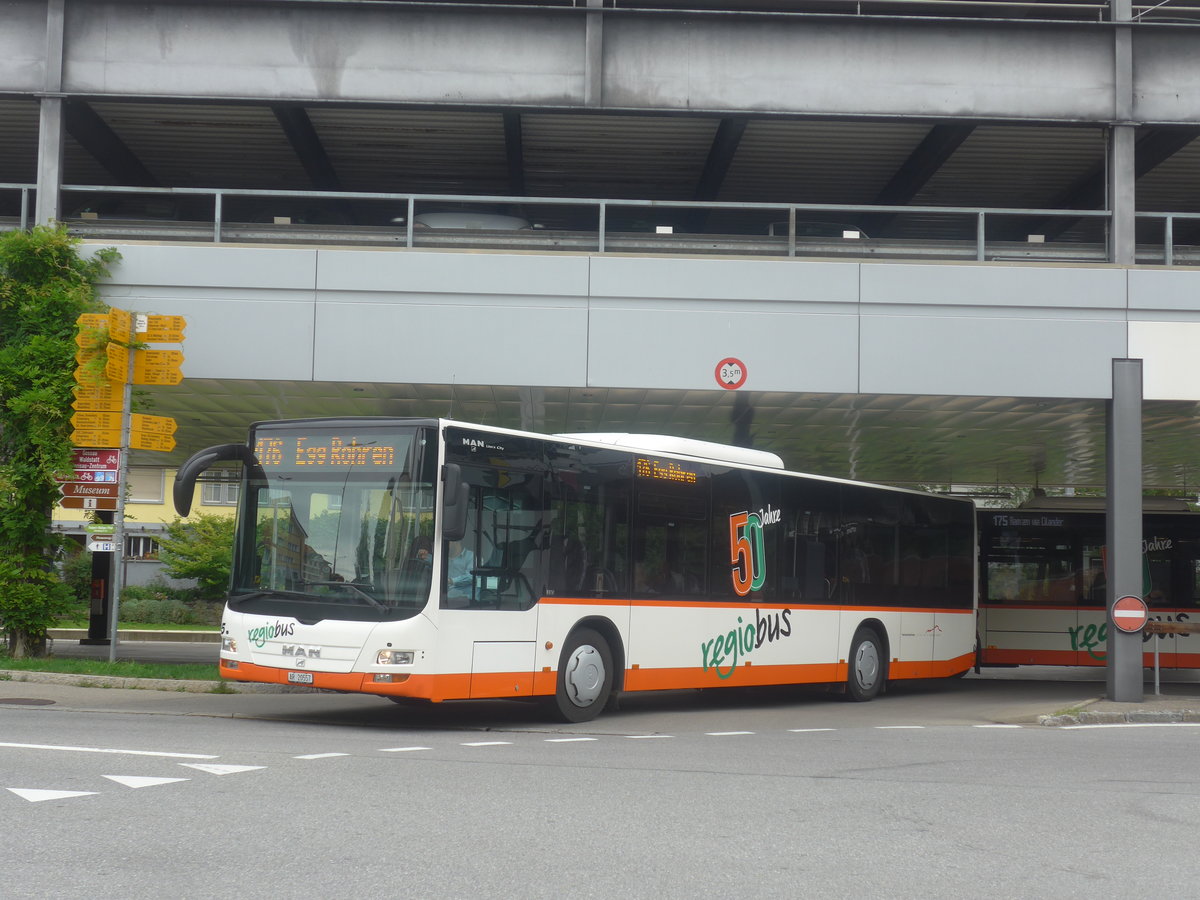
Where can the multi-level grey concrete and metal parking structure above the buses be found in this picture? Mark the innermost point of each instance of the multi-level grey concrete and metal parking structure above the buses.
(1025, 183)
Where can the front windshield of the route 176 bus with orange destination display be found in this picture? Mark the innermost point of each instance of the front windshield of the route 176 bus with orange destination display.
(337, 523)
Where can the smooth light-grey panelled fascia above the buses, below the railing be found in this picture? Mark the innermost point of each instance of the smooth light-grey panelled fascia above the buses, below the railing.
(596, 321)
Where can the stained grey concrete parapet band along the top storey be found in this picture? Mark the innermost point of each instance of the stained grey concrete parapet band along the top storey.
(842, 67)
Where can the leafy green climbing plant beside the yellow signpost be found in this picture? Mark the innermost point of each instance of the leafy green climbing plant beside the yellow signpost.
(45, 286)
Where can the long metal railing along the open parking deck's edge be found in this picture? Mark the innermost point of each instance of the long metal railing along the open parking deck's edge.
(604, 226)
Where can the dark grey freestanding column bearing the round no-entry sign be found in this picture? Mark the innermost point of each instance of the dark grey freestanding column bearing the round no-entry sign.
(1124, 526)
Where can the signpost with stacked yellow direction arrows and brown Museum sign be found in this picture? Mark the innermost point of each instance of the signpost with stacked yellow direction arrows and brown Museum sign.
(112, 358)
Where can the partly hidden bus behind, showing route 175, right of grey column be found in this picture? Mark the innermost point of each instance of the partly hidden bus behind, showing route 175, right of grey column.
(1042, 597)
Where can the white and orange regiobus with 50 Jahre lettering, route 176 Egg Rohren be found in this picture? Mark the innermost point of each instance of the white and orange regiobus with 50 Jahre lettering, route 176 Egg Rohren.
(425, 559)
